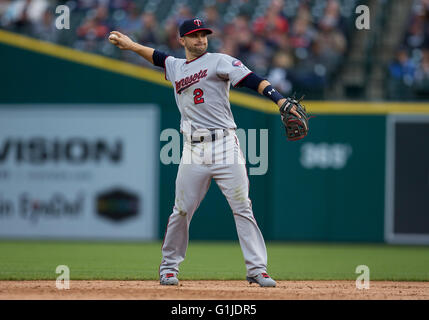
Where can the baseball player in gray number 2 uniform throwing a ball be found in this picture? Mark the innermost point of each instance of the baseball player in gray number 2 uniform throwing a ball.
(201, 85)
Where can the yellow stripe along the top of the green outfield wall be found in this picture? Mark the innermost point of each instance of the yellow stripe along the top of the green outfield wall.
(242, 99)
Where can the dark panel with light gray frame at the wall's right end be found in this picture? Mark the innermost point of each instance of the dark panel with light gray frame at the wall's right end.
(407, 179)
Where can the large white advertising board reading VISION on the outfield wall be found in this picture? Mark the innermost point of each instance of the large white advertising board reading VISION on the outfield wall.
(79, 171)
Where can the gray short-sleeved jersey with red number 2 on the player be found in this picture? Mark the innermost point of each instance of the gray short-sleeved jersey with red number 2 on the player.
(201, 89)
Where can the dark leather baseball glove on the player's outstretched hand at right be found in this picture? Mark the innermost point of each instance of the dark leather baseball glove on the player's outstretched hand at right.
(296, 128)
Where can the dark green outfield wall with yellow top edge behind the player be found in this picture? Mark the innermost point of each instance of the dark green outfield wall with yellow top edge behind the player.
(326, 187)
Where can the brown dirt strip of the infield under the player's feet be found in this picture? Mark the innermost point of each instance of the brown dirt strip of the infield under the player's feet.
(212, 290)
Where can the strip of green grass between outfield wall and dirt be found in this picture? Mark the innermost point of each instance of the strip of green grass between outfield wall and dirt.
(37, 260)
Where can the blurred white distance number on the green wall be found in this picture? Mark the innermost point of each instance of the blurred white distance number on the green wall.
(325, 155)
